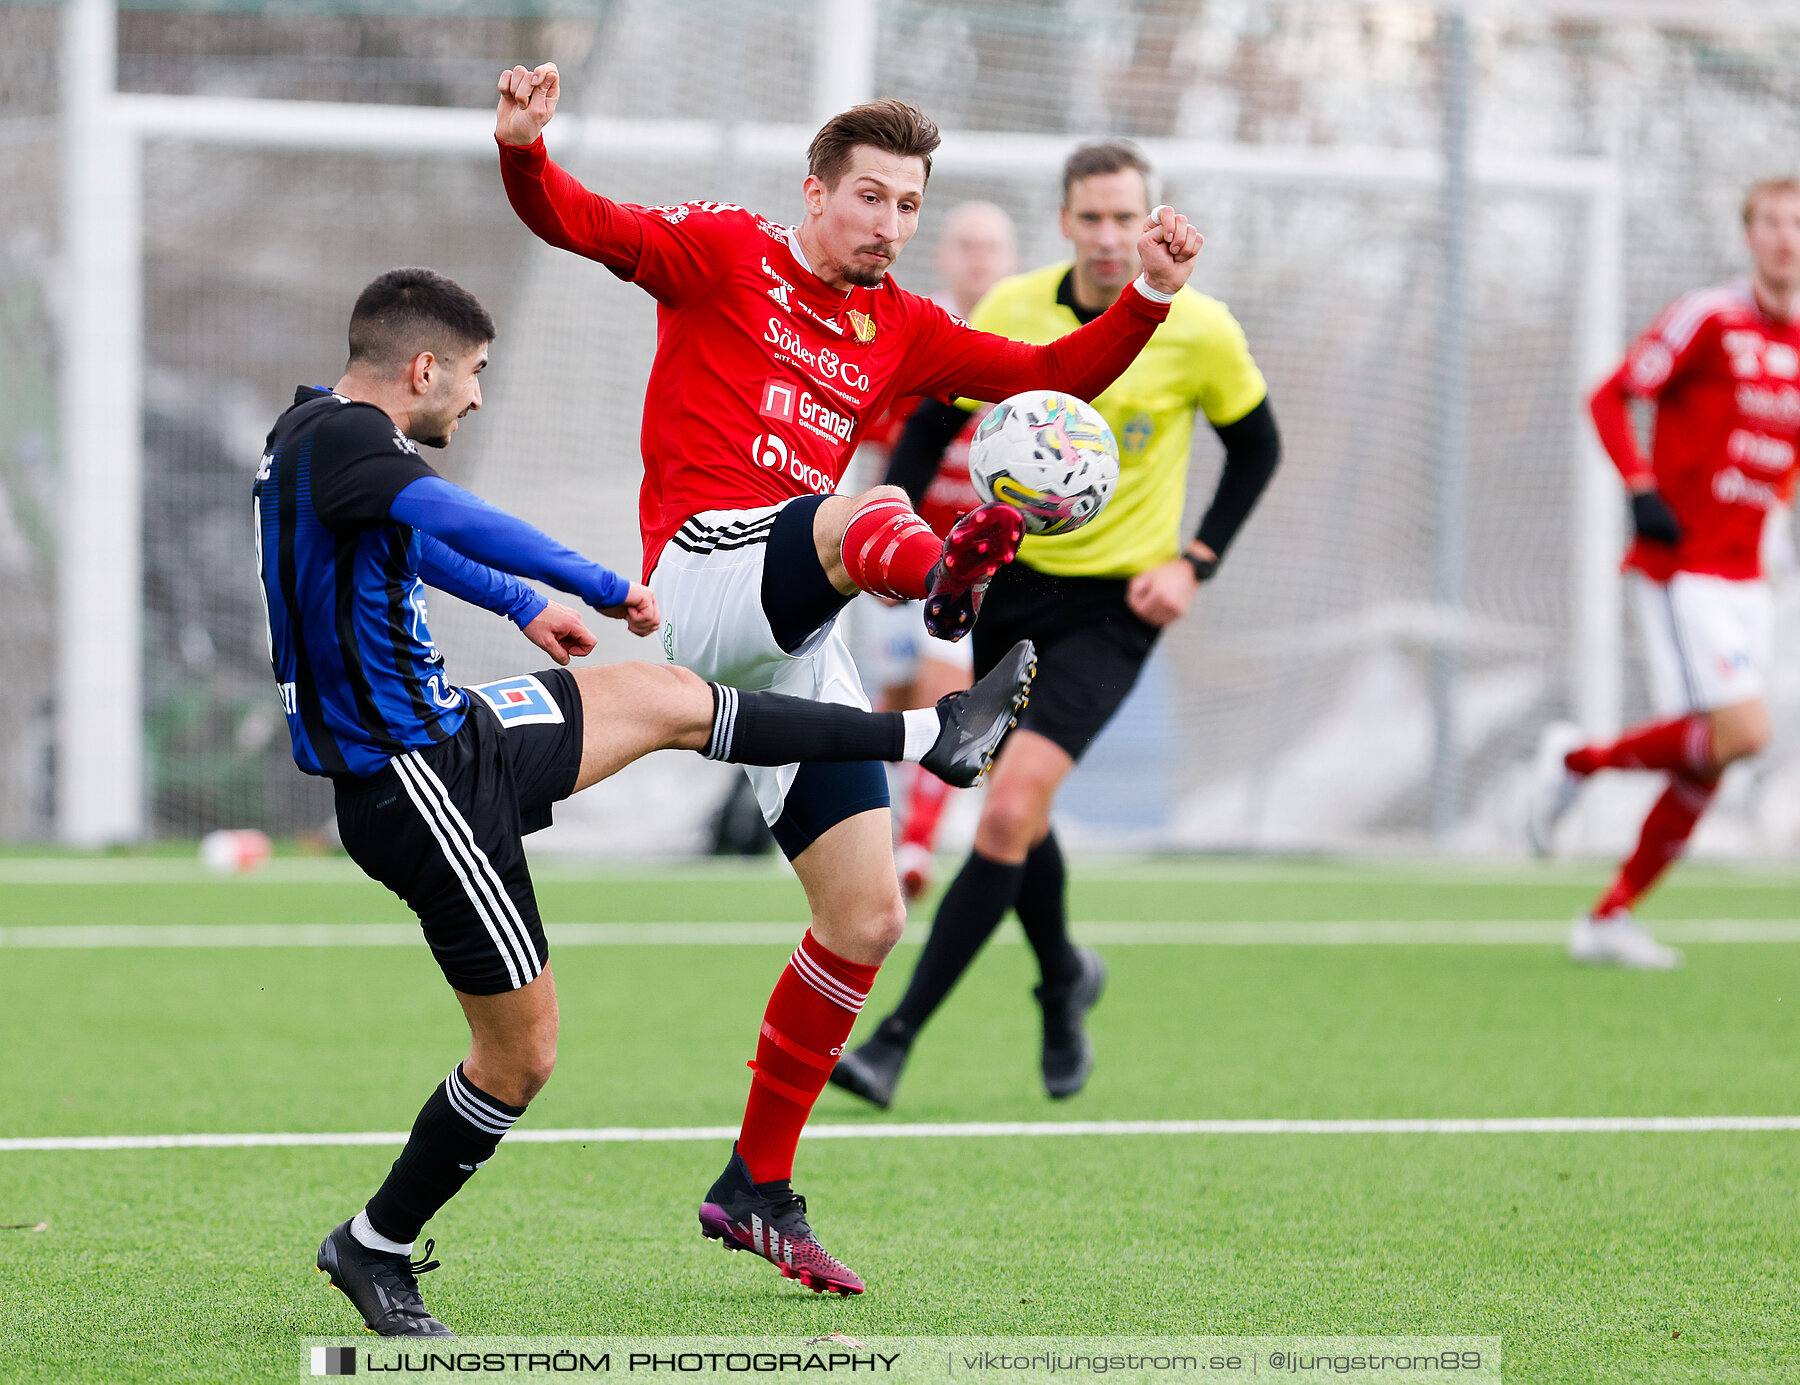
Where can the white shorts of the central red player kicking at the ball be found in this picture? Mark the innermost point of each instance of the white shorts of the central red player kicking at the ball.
(710, 590)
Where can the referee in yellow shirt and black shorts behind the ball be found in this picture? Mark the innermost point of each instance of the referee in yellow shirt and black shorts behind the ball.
(1093, 601)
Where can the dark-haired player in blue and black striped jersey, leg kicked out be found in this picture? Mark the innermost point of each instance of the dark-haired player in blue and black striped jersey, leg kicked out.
(438, 784)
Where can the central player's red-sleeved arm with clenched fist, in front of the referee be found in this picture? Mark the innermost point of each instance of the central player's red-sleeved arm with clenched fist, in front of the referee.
(955, 359)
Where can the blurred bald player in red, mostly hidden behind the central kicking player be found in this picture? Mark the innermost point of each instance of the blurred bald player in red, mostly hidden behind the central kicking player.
(912, 667)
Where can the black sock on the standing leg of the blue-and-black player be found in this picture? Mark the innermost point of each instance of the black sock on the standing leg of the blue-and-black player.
(456, 1134)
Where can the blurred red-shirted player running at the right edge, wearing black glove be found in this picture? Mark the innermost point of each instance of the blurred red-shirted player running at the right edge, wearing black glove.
(1723, 370)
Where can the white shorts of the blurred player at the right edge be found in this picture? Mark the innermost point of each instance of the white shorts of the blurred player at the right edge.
(1705, 638)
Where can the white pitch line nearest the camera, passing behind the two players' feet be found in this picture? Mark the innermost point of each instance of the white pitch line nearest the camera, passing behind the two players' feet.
(978, 1130)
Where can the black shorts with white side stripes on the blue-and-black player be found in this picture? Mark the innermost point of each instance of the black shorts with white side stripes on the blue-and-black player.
(444, 828)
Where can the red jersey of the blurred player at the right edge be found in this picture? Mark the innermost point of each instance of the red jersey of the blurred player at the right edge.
(1727, 386)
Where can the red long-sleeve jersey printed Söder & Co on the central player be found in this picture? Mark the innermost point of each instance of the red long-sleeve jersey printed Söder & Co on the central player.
(764, 376)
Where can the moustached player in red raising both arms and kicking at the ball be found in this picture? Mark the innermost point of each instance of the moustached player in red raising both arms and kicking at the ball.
(777, 349)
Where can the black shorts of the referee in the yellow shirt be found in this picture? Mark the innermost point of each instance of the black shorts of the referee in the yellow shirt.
(1090, 647)
